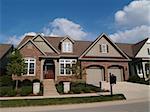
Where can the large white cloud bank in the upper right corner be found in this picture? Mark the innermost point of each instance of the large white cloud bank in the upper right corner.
(133, 22)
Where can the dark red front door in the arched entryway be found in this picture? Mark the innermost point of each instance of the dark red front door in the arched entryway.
(49, 72)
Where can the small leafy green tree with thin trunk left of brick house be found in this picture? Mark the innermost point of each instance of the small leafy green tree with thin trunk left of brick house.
(16, 65)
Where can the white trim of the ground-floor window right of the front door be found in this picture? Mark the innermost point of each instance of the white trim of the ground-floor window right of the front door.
(66, 61)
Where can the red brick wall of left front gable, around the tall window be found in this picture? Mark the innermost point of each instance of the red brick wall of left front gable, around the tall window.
(31, 52)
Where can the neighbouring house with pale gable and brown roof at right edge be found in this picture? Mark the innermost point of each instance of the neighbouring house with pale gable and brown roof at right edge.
(140, 55)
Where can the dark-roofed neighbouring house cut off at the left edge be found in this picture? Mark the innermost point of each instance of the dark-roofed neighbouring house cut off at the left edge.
(5, 51)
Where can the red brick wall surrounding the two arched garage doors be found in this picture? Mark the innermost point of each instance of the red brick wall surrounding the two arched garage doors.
(86, 64)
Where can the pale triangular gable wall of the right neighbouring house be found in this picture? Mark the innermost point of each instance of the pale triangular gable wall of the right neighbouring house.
(143, 53)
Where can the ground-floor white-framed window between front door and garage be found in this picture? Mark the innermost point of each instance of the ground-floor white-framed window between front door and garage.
(65, 66)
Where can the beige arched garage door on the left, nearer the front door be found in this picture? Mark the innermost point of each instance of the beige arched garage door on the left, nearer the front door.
(94, 75)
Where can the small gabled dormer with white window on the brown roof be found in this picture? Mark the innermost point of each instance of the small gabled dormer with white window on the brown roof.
(67, 45)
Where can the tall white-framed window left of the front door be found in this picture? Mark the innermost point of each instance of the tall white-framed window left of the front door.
(30, 66)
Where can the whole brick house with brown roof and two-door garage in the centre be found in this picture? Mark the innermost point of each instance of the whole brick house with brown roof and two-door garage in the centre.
(51, 58)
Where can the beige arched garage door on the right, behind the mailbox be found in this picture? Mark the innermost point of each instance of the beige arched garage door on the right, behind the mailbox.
(117, 72)
